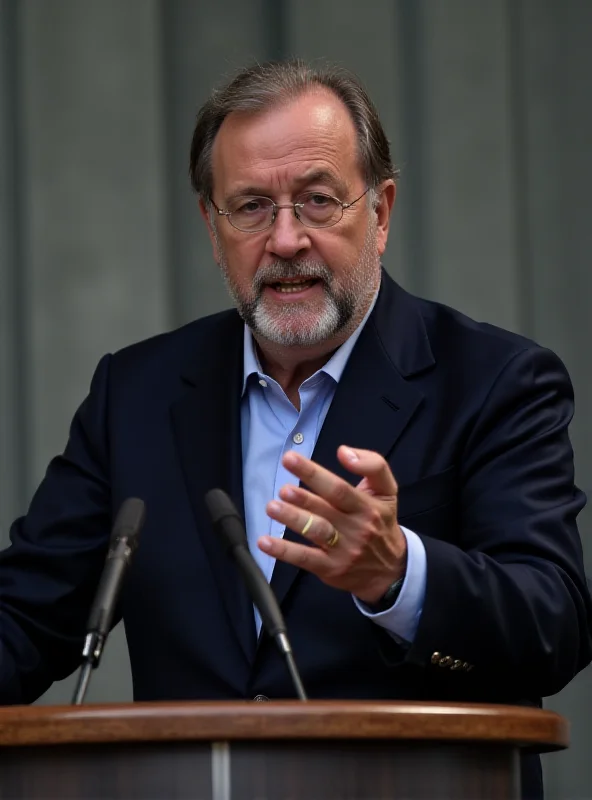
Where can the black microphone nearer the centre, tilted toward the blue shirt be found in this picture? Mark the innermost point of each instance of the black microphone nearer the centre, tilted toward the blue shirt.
(230, 527)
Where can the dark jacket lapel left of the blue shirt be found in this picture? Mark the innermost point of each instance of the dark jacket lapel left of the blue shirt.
(206, 423)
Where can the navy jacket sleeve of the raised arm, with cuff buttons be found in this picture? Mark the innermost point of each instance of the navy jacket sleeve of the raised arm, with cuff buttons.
(507, 604)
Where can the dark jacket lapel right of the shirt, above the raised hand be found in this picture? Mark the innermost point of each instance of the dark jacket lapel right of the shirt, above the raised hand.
(373, 403)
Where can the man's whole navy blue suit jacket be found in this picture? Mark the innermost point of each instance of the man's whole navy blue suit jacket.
(473, 421)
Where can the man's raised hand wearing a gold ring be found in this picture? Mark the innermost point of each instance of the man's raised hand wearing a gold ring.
(359, 546)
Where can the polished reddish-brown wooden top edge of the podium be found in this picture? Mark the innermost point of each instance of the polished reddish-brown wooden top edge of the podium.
(528, 728)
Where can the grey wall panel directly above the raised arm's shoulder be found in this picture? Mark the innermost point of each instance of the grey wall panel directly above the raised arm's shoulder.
(468, 198)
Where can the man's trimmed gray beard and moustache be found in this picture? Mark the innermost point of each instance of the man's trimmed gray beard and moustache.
(344, 306)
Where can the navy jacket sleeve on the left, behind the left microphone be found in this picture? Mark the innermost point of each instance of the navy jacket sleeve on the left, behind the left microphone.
(50, 571)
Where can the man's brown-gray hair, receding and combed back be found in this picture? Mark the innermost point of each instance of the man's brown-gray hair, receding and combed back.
(264, 86)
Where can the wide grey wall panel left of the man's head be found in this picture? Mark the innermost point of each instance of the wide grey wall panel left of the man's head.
(95, 209)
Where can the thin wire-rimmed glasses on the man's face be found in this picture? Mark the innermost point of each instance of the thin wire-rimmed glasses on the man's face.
(252, 214)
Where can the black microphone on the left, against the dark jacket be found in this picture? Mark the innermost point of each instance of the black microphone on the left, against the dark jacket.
(122, 546)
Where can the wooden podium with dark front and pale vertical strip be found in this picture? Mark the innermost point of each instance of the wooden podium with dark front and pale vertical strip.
(279, 750)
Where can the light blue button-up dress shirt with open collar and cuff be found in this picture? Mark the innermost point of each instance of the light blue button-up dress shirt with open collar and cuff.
(270, 426)
